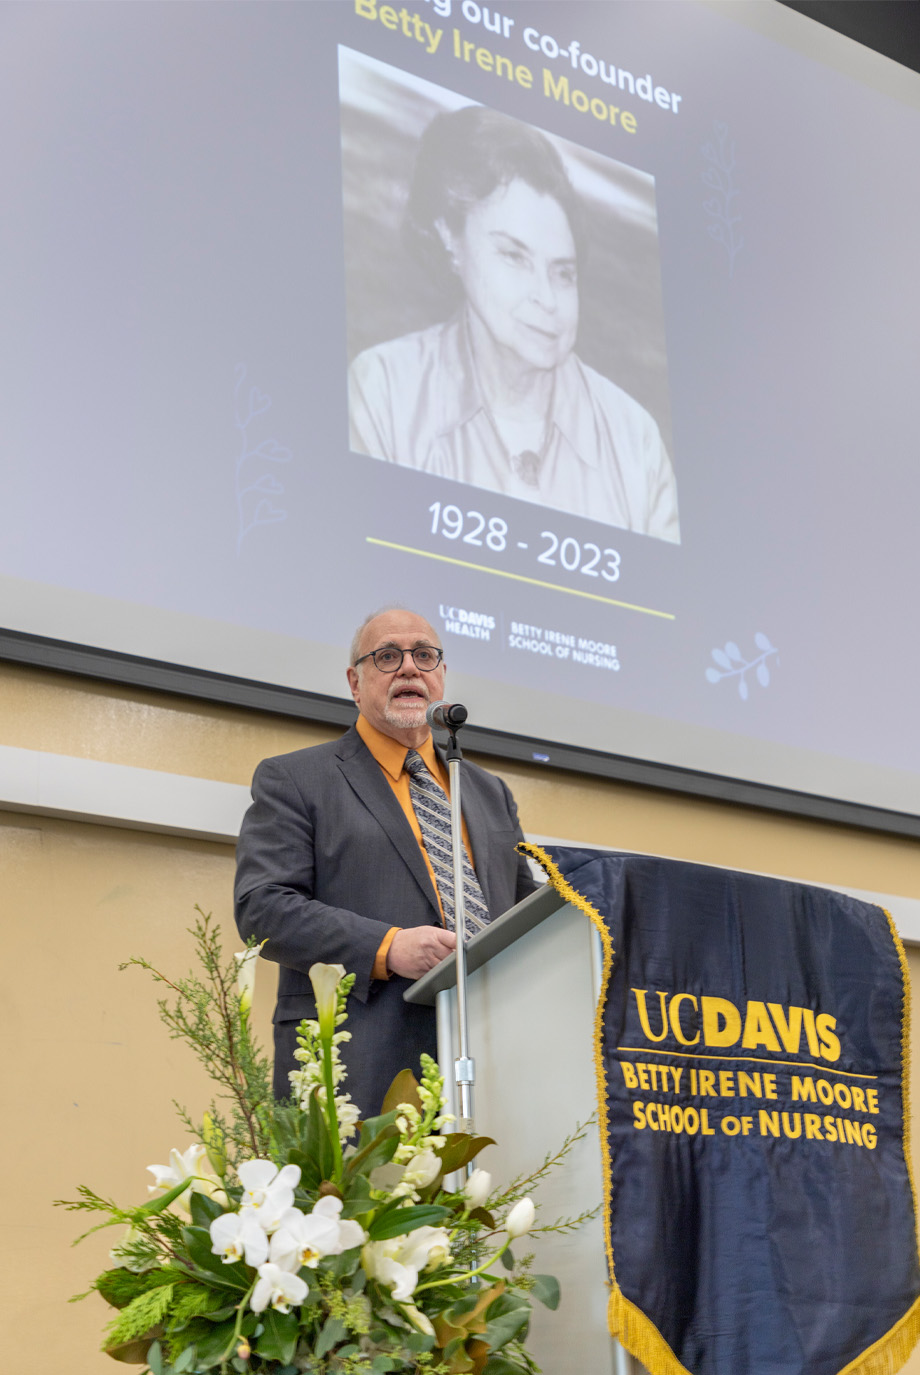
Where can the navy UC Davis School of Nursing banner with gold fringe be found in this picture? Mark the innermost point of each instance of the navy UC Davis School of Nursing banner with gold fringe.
(752, 1061)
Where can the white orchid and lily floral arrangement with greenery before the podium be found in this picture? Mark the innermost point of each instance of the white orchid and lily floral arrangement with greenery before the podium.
(292, 1238)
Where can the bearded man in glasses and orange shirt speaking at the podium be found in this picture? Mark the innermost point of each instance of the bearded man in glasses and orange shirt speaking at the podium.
(344, 857)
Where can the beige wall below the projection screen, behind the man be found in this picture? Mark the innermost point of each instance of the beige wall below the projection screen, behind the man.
(91, 1073)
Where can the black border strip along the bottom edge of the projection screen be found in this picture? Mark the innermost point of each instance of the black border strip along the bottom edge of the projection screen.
(157, 676)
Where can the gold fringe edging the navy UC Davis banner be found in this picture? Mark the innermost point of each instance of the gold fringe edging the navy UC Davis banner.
(626, 1322)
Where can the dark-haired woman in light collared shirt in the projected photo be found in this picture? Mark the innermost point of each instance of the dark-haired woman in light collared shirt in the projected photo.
(497, 397)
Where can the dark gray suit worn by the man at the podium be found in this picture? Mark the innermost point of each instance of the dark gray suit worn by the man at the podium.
(327, 866)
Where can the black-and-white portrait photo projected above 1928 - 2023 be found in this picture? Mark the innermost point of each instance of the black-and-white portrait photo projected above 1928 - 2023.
(494, 261)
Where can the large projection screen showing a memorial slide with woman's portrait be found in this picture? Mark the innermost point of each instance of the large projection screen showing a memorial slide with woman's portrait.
(629, 417)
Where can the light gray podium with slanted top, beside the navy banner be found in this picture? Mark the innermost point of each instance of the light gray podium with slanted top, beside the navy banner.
(534, 978)
